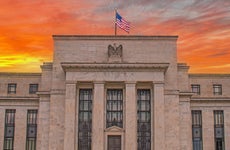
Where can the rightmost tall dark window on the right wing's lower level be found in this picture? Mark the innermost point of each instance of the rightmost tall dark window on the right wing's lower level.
(219, 129)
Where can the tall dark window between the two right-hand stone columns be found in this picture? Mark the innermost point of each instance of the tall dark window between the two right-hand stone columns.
(144, 119)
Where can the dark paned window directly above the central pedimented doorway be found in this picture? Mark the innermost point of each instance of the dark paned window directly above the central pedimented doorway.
(114, 109)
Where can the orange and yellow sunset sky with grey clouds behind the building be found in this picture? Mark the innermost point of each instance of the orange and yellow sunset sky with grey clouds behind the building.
(27, 26)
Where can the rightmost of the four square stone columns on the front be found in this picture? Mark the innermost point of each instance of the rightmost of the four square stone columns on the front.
(158, 113)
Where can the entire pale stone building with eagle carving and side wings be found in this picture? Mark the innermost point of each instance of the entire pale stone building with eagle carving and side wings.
(114, 93)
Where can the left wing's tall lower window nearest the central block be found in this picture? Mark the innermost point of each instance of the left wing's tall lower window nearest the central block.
(31, 134)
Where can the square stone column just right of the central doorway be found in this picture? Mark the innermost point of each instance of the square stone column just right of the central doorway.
(130, 117)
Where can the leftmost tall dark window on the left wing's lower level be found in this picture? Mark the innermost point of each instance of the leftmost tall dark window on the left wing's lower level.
(9, 129)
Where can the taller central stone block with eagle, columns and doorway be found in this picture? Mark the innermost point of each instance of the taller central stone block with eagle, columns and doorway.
(114, 92)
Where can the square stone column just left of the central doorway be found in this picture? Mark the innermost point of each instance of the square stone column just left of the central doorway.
(98, 117)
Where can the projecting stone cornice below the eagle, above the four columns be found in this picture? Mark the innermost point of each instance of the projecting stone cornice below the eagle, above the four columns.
(70, 67)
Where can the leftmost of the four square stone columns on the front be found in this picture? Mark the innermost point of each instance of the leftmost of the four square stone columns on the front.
(70, 111)
